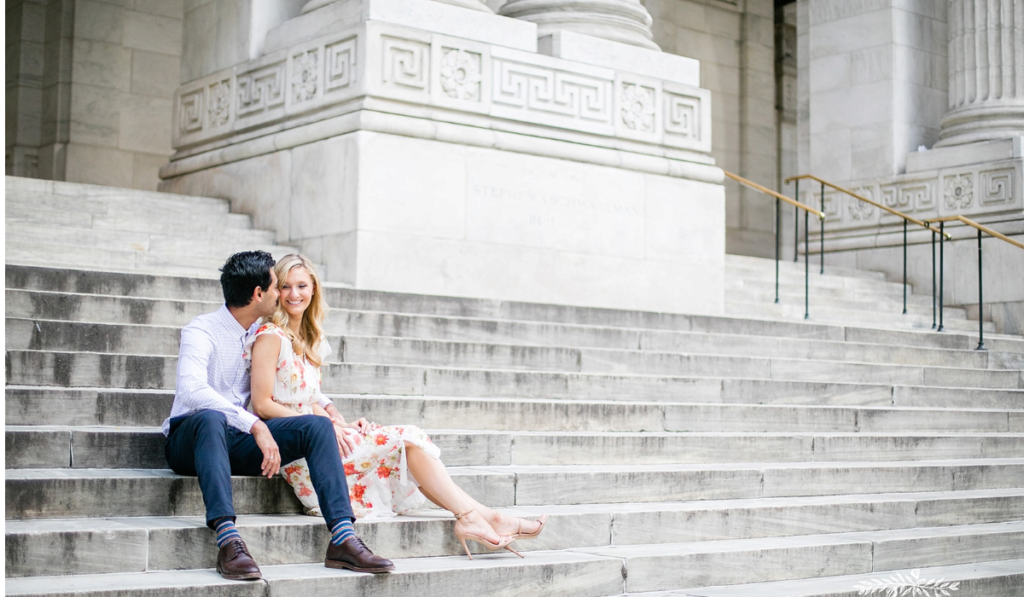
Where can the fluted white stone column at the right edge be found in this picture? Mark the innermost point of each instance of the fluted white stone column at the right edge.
(987, 71)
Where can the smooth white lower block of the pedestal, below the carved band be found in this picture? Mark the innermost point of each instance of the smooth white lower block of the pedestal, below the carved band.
(393, 214)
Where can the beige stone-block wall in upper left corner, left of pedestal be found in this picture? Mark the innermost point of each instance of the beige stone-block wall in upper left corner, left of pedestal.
(110, 72)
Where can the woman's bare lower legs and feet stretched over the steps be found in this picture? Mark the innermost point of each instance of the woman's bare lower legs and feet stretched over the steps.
(438, 486)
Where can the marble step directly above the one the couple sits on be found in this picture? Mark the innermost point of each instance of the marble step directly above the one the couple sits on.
(81, 448)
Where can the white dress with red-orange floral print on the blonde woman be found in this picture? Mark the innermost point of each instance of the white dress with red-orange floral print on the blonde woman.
(380, 484)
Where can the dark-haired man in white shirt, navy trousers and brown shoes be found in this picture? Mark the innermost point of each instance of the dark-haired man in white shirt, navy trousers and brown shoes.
(210, 434)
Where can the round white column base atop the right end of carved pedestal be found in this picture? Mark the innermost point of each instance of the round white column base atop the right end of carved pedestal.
(622, 21)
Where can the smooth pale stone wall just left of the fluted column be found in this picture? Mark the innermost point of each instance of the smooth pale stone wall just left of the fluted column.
(876, 77)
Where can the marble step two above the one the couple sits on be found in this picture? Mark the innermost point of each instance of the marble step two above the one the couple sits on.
(29, 406)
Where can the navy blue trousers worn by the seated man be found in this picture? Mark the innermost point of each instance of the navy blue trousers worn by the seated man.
(203, 445)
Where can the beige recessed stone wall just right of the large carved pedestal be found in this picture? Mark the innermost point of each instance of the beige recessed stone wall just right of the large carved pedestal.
(736, 42)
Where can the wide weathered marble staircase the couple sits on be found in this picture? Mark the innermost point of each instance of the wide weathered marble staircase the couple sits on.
(677, 455)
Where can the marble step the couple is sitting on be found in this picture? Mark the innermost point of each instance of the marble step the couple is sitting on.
(105, 493)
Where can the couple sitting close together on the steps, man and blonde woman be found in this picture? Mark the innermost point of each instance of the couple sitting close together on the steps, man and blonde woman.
(271, 325)
